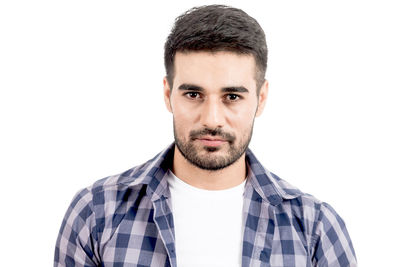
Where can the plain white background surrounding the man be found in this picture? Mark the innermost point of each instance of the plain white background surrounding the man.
(81, 99)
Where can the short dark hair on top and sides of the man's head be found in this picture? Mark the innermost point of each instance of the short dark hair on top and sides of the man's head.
(216, 28)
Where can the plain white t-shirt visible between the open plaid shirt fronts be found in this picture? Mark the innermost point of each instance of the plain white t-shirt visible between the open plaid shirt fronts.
(208, 224)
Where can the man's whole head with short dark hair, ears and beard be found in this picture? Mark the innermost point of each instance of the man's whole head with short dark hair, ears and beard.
(215, 59)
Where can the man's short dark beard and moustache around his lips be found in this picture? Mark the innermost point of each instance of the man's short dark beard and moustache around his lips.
(206, 157)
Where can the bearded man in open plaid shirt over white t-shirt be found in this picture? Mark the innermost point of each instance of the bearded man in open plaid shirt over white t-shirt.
(205, 200)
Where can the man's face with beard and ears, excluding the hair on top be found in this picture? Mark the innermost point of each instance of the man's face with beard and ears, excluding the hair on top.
(214, 102)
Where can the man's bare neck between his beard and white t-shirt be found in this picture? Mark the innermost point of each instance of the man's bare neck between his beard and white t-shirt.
(225, 178)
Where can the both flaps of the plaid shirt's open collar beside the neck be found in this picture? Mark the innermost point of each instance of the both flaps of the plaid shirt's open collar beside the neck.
(153, 173)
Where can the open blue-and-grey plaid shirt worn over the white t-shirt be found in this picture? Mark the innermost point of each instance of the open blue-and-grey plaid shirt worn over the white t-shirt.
(126, 220)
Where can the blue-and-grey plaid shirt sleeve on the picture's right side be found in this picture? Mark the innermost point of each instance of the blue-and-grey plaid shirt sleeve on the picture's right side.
(332, 246)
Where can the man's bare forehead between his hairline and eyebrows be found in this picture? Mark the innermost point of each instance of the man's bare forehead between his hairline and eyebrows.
(215, 69)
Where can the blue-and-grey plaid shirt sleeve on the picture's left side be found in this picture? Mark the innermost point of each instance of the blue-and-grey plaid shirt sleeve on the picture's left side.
(77, 240)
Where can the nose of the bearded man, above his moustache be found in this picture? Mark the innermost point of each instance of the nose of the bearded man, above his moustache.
(212, 115)
